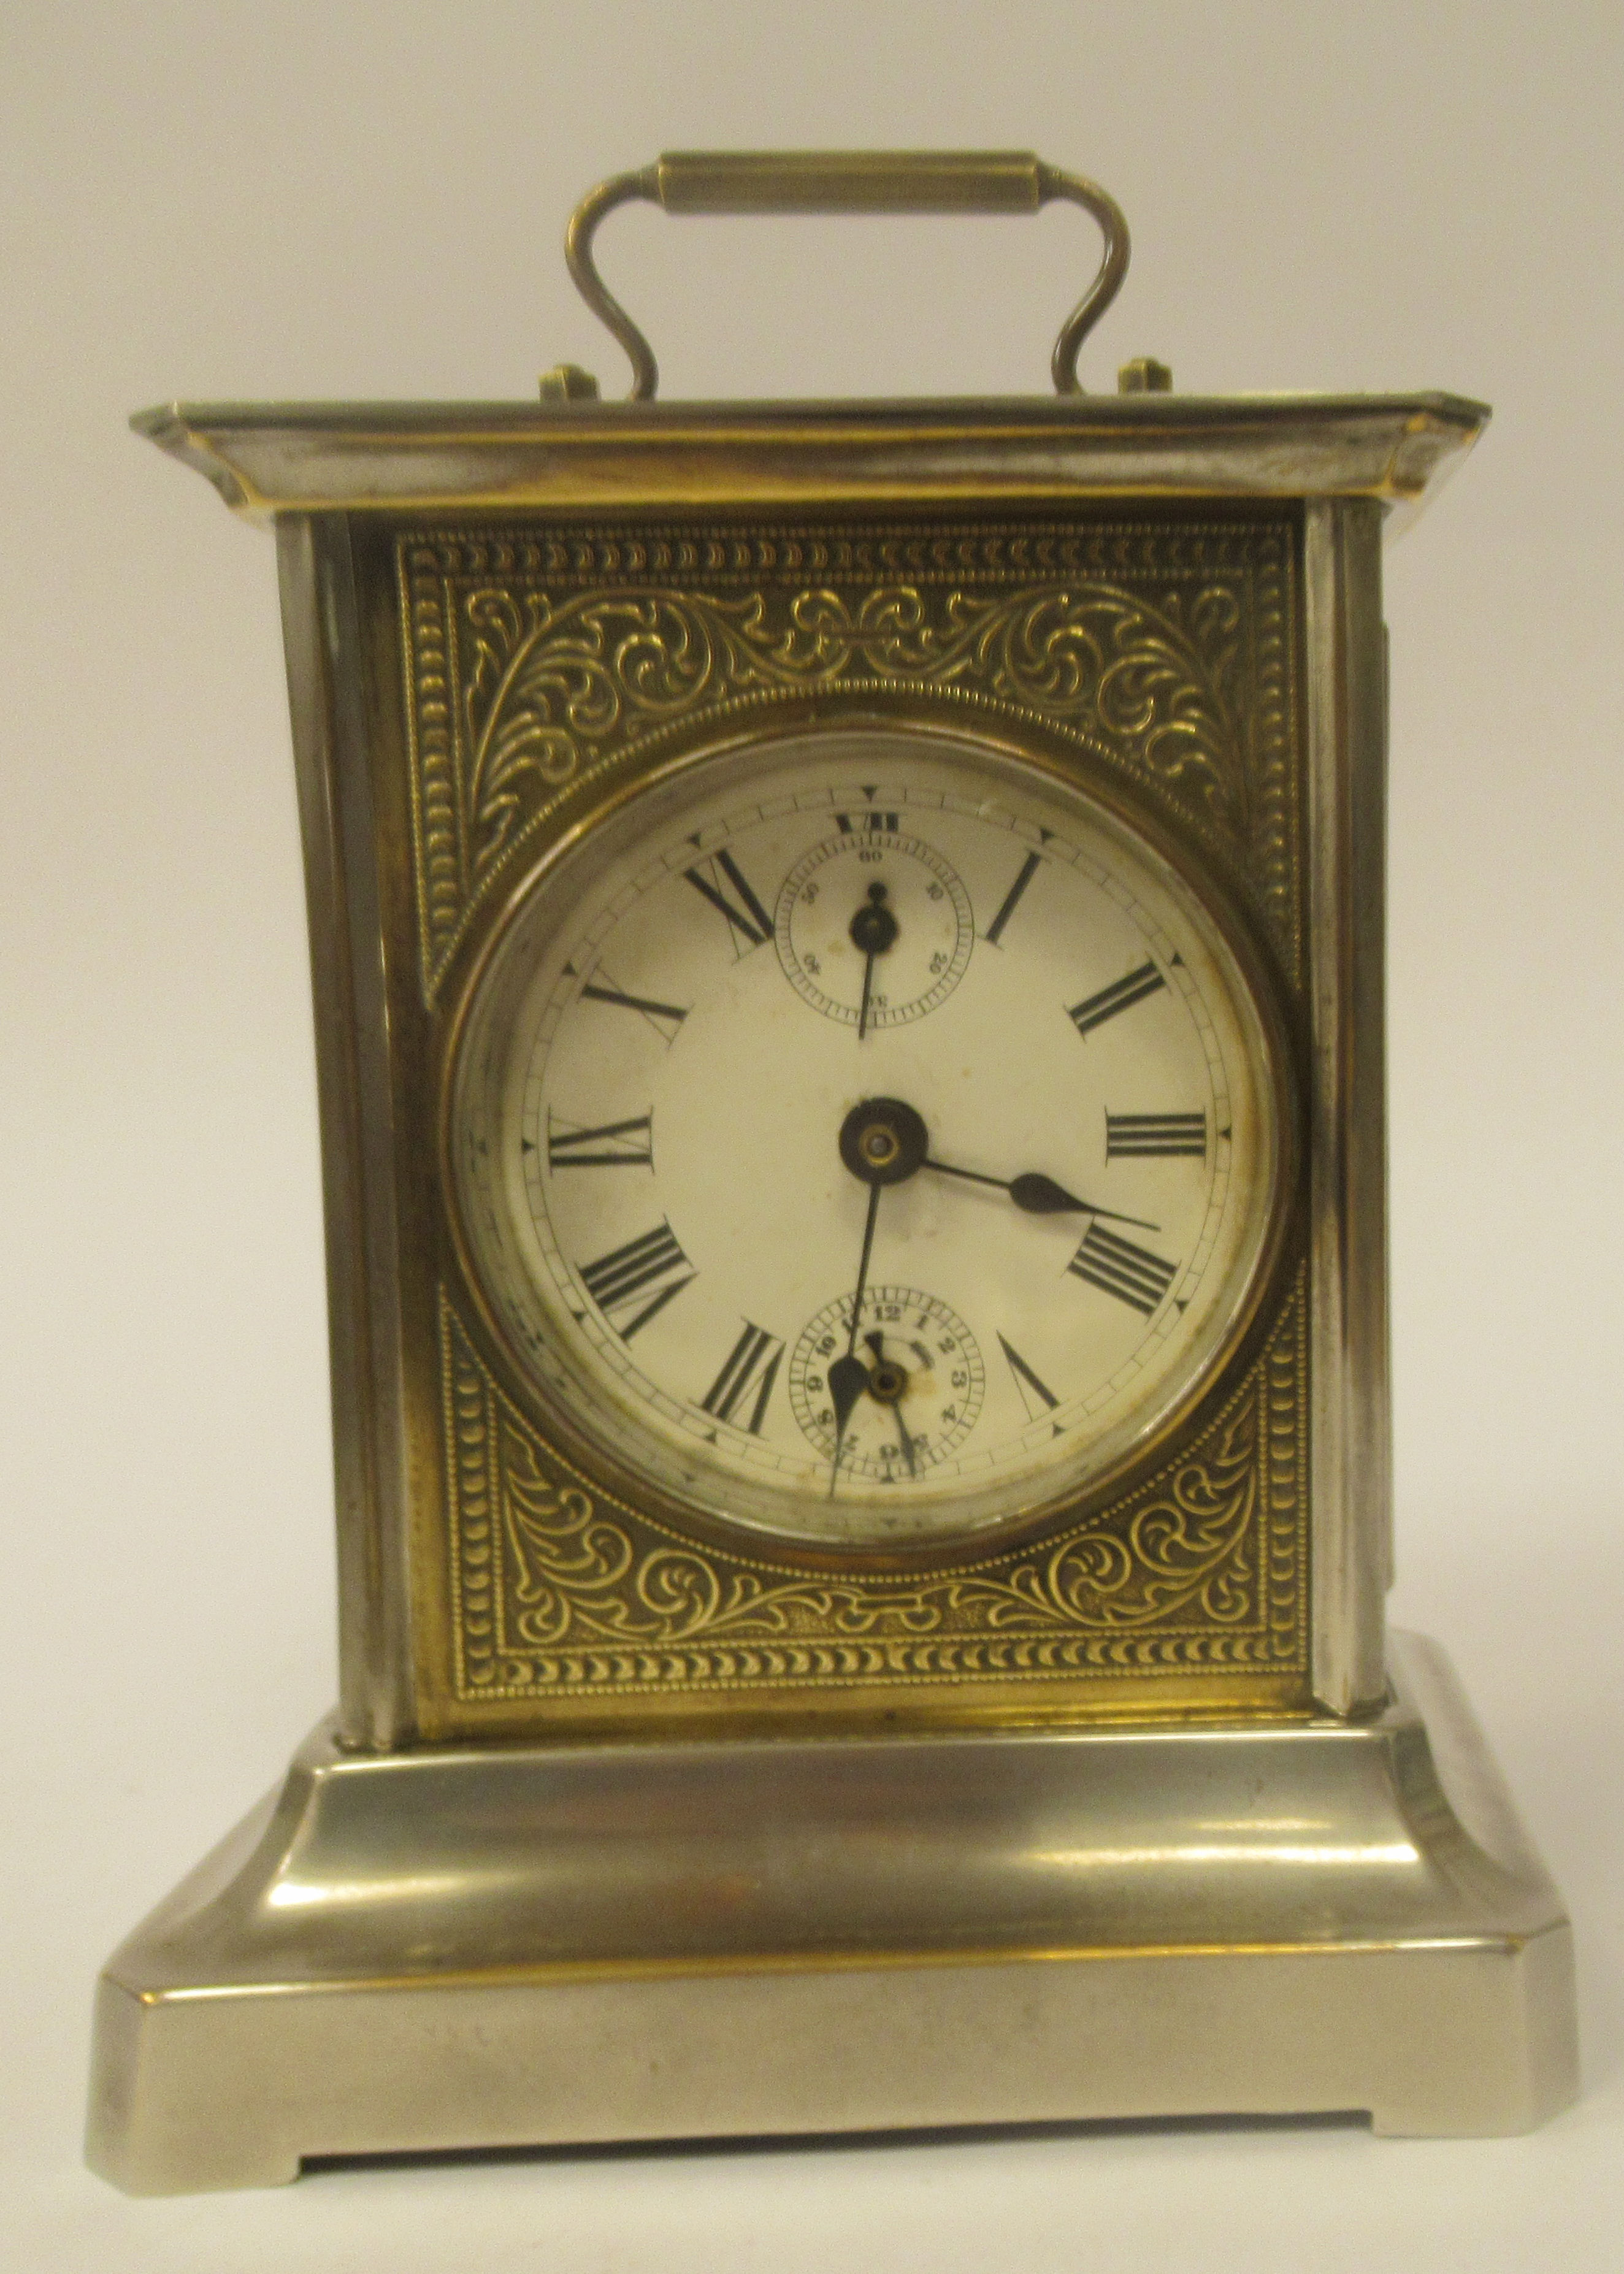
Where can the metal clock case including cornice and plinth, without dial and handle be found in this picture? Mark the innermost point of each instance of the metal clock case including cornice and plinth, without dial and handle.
(647, 1832)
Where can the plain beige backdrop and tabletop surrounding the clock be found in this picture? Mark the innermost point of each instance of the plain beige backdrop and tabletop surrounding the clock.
(367, 199)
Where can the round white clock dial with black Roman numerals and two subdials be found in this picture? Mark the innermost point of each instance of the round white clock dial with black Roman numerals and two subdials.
(865, 1138)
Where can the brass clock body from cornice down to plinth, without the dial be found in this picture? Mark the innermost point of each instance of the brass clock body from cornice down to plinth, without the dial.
(477, 683)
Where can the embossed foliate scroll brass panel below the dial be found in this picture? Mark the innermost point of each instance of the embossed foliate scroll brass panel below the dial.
(563, 1591)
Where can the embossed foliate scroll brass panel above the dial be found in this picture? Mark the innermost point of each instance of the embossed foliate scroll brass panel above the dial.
(1163, 654)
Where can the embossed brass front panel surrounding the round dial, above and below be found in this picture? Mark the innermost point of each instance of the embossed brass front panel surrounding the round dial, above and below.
(542, 670)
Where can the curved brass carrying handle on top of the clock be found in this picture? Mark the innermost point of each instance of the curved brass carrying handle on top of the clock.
(847, 183)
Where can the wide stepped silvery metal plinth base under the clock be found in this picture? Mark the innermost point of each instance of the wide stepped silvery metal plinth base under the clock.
(477, 1948)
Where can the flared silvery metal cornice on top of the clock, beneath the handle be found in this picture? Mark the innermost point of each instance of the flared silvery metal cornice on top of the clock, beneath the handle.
(272, 458)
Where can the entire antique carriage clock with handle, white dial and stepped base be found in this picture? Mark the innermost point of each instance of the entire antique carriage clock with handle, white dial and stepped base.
(850, 1020)
